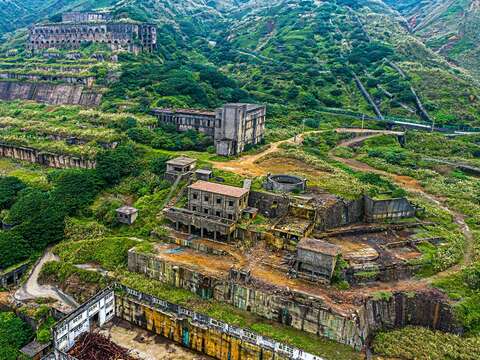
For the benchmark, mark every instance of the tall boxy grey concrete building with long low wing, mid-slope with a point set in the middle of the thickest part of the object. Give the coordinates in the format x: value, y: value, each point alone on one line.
x: 233, y: 127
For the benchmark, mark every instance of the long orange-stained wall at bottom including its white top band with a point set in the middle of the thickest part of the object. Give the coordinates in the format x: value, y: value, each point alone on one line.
x: 200, y: 332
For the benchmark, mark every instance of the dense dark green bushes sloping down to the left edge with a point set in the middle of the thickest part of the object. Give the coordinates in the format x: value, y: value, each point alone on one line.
x: 38, y: 216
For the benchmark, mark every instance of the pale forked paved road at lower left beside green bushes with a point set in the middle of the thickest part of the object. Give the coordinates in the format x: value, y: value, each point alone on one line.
x: 31, y: 289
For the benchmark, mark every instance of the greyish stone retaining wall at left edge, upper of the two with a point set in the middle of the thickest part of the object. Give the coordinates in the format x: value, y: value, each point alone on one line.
x: 49, y: 93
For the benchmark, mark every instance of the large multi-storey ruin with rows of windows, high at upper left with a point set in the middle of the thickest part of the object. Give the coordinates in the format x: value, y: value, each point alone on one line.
x: 83, y: 28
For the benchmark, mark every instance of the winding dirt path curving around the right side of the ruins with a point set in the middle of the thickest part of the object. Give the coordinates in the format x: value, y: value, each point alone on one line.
x: 412, y: 185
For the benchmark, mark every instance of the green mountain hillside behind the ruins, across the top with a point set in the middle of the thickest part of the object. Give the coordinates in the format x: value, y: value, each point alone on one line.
x: 305, y: 57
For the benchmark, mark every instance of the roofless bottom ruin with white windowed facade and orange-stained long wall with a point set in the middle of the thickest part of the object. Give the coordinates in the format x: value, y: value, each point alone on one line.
x: 189, y: 328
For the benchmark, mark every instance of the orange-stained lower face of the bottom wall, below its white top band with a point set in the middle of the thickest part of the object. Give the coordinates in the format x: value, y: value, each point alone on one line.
x: 207, y: 341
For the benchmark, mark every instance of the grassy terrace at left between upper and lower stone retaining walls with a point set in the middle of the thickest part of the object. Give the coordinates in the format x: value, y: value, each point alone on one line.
x: 46, y: 127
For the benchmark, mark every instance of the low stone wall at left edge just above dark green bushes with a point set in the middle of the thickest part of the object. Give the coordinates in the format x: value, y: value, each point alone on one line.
x: 46, y: 159
